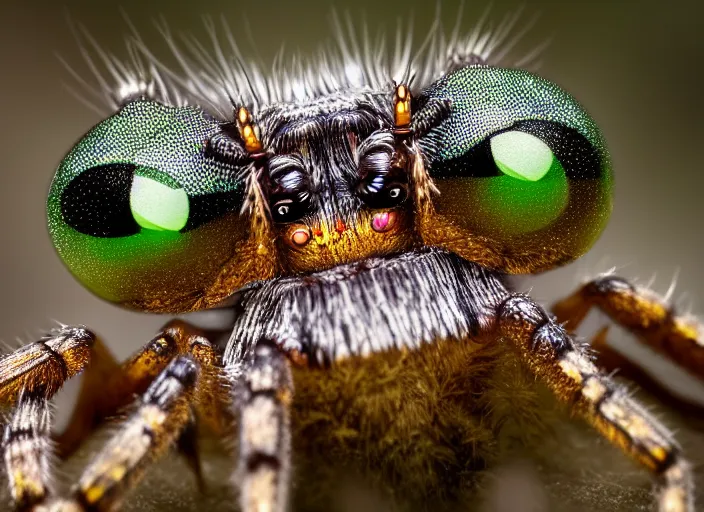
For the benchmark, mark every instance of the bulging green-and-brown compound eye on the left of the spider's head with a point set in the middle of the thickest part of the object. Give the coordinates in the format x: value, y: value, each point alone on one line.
x: 139, y: 211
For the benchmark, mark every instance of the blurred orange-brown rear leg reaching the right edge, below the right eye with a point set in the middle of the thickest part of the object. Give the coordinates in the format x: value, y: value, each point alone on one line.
x: 643, y: 313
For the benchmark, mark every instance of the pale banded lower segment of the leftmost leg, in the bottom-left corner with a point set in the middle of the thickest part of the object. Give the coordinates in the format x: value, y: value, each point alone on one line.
x: 26, y: 448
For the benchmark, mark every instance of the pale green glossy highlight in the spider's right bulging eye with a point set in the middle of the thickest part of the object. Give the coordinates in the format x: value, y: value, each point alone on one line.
x: 521, y: 155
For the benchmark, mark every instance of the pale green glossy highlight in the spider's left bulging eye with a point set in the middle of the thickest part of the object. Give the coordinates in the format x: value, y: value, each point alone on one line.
x: 158, y: 207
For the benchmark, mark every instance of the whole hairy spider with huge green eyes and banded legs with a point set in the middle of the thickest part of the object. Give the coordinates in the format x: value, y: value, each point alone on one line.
x: 363, y: 230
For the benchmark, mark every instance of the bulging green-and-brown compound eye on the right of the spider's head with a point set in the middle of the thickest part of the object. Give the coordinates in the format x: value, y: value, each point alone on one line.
x: 520, y: 163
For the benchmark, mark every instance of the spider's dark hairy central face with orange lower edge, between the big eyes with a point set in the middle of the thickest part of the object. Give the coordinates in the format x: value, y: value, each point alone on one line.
x: 334, y: 193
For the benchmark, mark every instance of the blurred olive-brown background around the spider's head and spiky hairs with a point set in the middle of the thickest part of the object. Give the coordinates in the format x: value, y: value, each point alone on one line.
x: 634, y: 65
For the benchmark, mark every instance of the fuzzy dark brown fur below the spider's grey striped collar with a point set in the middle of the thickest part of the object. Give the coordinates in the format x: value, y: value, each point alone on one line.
x: 416, y: 426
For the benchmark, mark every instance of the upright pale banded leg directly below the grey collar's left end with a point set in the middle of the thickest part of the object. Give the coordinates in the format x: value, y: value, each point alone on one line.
x: 265, y: 444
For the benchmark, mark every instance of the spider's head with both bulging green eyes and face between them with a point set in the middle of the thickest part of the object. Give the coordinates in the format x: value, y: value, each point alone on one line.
x: 165, y: 208
